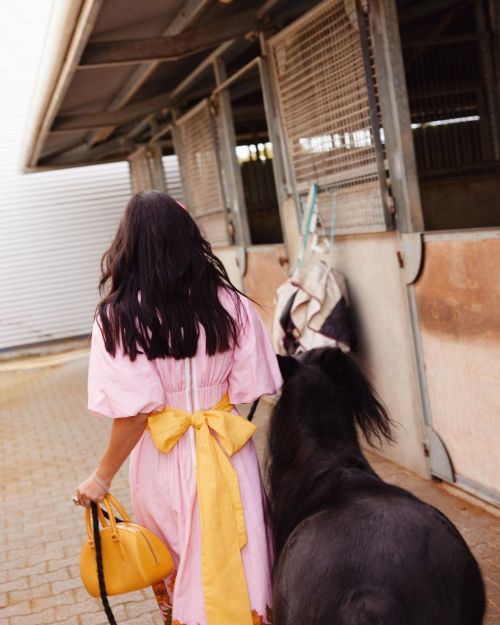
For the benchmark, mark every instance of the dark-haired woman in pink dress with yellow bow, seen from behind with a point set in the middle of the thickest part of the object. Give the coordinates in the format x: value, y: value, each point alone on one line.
x: 174, y: 333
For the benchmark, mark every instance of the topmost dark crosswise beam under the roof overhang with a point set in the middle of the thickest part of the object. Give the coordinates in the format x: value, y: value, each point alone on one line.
x: 110, y: 53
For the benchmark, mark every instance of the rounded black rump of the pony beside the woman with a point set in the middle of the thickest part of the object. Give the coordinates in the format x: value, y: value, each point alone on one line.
x: 376, y: 556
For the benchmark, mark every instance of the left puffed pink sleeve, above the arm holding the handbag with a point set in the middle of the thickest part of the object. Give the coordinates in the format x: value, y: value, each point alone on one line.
x: 118, y: 387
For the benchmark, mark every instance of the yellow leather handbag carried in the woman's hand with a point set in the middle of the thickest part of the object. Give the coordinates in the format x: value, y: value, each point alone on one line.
x: 130, y: 556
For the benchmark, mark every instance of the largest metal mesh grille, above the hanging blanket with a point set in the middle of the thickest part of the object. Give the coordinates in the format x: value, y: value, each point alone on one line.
x: 323, y: 97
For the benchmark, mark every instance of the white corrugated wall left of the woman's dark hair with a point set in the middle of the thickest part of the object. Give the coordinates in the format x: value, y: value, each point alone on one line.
x: 55, y: 228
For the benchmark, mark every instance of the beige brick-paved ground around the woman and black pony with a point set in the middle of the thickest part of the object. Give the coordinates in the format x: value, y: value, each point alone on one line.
x: 49, y: 443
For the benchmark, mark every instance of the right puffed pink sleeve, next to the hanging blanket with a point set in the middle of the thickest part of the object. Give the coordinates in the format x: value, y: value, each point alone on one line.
x: 255, y: 371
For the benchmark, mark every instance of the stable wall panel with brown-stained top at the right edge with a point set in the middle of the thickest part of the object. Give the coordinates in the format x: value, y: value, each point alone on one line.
x: 458, y: 298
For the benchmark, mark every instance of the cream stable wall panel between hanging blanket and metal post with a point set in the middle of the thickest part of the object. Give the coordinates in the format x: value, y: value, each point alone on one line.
x: 378, y: 296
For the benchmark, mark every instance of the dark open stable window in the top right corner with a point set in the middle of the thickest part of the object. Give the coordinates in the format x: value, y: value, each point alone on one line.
x: 450, y: 55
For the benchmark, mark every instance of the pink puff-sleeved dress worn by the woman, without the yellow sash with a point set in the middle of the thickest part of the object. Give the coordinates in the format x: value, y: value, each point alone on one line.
x: 163, y: 485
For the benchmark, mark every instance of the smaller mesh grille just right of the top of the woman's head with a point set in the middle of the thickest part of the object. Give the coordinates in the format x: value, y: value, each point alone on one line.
x: 202, y: 173
